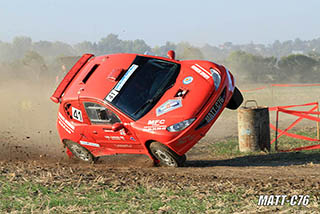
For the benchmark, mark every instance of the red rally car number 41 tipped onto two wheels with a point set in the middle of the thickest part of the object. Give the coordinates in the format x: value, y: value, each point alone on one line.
x: 141, y: 104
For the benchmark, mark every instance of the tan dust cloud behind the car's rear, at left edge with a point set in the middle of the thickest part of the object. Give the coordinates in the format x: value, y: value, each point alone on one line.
x: 28, y: 120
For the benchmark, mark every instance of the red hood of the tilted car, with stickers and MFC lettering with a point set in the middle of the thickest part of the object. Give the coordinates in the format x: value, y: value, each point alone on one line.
x: 184, y: 100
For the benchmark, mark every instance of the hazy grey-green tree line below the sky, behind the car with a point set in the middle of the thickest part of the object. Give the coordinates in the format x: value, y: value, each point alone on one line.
x: 290, y: 61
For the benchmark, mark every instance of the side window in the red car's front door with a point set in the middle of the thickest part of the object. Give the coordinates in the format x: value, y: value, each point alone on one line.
x: 99, y: 114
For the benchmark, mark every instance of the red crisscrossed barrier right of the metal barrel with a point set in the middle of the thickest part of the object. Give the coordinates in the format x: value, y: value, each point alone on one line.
x: 302, y: 115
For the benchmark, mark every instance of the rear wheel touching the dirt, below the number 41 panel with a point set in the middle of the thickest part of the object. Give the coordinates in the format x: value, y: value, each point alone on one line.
x: 80, y: 152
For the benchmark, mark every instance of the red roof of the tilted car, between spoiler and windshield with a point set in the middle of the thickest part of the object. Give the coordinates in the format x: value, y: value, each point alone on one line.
x: 92, y: 81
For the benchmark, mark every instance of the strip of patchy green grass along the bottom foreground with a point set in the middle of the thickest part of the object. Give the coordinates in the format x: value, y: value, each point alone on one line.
x: 27, y: 197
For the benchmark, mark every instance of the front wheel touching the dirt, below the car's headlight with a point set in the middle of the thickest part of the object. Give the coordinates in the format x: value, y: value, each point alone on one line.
x: 166, y: 156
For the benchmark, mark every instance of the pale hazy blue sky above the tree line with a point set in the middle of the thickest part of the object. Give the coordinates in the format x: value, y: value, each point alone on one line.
x: 197, y: 22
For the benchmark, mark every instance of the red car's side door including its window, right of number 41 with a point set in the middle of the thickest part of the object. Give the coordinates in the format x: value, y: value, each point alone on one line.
x: 110, y: 130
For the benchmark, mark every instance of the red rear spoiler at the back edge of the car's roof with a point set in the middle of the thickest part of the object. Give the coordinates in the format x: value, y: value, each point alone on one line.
x: 69, y: 77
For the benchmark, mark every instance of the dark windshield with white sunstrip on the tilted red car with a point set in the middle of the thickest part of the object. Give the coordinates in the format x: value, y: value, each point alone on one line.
x: 140, y: 88
